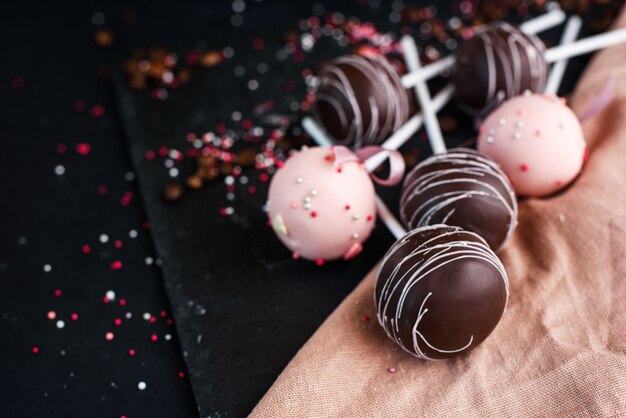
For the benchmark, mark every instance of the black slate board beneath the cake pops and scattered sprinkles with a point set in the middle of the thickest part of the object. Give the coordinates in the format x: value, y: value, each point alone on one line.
x: 242, y: 306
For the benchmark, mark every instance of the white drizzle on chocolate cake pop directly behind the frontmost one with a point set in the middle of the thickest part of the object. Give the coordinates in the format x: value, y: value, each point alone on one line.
x: 470, y: 168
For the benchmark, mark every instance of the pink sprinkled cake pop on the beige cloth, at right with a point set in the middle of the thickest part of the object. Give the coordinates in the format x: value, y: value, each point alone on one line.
x: 538, y: 142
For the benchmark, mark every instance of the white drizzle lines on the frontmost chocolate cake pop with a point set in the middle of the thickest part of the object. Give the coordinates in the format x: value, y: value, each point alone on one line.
x: 425, y: 259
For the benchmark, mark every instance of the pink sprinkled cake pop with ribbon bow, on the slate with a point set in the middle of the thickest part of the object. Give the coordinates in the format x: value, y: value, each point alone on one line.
x: 321, y: 210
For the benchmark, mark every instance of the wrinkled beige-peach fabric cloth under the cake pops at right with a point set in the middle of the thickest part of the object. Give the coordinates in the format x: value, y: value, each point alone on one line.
x: 560, y: 349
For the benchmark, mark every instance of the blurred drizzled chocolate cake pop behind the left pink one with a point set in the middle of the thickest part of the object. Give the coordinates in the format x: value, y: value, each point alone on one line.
x: 360, y: 100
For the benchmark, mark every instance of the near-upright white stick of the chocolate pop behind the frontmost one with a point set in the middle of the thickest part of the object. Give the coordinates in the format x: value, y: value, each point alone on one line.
x: 411, y: 58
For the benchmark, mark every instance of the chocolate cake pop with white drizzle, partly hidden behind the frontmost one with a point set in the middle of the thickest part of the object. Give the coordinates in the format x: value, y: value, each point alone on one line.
x: 461, y: 188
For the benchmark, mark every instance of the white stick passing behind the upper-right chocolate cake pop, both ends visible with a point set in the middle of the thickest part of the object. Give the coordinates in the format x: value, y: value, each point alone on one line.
x: 533, y: 26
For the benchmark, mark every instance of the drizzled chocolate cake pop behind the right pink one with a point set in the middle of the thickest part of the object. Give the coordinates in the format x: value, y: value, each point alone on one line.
x: 498, y: 63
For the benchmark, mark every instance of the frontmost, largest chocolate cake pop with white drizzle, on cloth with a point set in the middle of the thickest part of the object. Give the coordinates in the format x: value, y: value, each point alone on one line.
x: 440, y: 292
